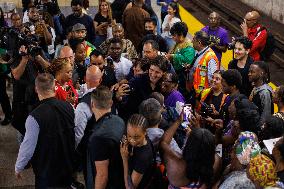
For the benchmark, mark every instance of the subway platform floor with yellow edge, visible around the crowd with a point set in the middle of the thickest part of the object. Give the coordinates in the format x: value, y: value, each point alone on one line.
x: 8, y: 135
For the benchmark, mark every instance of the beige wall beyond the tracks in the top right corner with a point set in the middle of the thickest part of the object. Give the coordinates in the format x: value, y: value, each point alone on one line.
x: 273, y: 8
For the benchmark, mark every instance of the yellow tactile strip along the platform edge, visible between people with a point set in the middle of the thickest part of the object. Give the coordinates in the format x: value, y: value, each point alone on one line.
x: 195, y: 25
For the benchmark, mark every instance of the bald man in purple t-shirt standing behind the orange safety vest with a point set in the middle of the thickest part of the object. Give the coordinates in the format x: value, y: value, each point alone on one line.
x: 218, y: 36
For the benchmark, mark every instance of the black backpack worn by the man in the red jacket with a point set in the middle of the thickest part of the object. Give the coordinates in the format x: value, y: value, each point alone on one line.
x: 269, y: 47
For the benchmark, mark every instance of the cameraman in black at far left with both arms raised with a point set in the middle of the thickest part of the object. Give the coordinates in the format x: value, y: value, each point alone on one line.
x: 24, y: 70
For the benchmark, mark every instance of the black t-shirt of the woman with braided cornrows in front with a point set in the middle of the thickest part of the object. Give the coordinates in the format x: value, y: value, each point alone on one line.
x: 142, y: 162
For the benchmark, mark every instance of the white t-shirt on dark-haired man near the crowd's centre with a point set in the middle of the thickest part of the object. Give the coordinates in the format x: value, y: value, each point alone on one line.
x: 122, y: 68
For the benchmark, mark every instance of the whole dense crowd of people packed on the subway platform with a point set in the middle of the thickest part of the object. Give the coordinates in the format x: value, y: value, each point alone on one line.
x: 131, y: 102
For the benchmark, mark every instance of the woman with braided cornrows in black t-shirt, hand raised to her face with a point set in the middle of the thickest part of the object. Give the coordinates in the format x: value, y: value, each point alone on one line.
x: 137, y: 153
